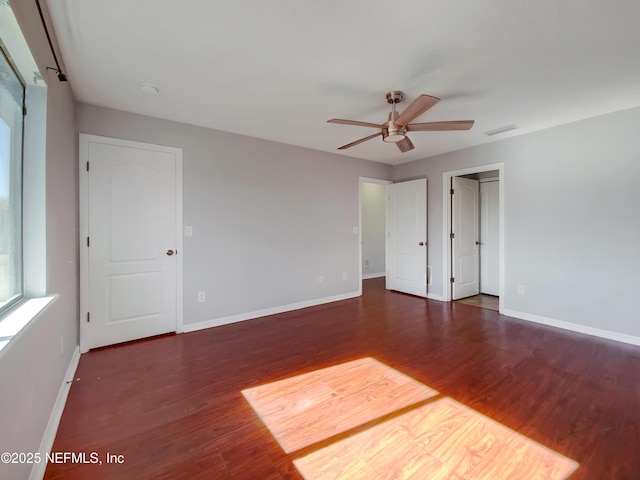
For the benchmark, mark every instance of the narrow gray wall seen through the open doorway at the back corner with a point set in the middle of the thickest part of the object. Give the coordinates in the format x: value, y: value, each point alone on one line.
x: 372, y: 196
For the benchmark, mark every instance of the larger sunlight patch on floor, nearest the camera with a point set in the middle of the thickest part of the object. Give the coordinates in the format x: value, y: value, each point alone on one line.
x: 440, y: 440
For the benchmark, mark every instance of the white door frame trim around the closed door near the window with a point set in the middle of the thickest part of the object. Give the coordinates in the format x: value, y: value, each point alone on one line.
x: 83, y: 183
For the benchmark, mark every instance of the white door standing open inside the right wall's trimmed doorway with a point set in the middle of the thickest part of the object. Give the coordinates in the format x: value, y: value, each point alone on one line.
x: 465, y: 257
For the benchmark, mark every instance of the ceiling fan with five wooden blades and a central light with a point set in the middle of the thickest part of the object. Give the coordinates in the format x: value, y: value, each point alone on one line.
x: 395, y: 129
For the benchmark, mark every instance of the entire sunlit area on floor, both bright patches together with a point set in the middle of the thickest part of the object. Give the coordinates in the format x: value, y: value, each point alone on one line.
x: 365, y: 420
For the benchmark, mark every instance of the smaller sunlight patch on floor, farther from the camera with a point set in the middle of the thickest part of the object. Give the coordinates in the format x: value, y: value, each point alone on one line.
x: 308, y: 408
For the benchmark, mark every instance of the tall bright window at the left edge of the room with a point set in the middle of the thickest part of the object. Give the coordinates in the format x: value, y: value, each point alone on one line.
x: 12, y: 95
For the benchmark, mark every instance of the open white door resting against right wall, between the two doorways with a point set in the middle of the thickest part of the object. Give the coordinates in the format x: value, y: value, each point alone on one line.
x: 407, y: 237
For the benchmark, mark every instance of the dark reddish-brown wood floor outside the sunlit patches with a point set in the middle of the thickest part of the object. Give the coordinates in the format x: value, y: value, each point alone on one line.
x: 173, y: 407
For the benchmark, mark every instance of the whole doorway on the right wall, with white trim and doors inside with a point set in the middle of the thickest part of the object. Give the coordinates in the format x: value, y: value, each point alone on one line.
x: 473, y: 230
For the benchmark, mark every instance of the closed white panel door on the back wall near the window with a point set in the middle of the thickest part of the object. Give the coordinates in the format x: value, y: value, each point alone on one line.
x: 132, y: 245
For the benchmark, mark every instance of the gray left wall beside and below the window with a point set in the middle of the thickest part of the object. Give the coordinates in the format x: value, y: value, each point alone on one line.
x: 32, y: 367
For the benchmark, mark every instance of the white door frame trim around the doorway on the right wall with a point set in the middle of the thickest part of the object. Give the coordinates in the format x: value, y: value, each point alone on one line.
x: 446, y: 226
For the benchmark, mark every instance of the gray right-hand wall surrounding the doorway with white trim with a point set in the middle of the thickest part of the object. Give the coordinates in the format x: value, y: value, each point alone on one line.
x: 572, y: 227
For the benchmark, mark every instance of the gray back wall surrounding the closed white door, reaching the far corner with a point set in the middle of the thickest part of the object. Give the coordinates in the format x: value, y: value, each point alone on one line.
x: 268, y: 219
